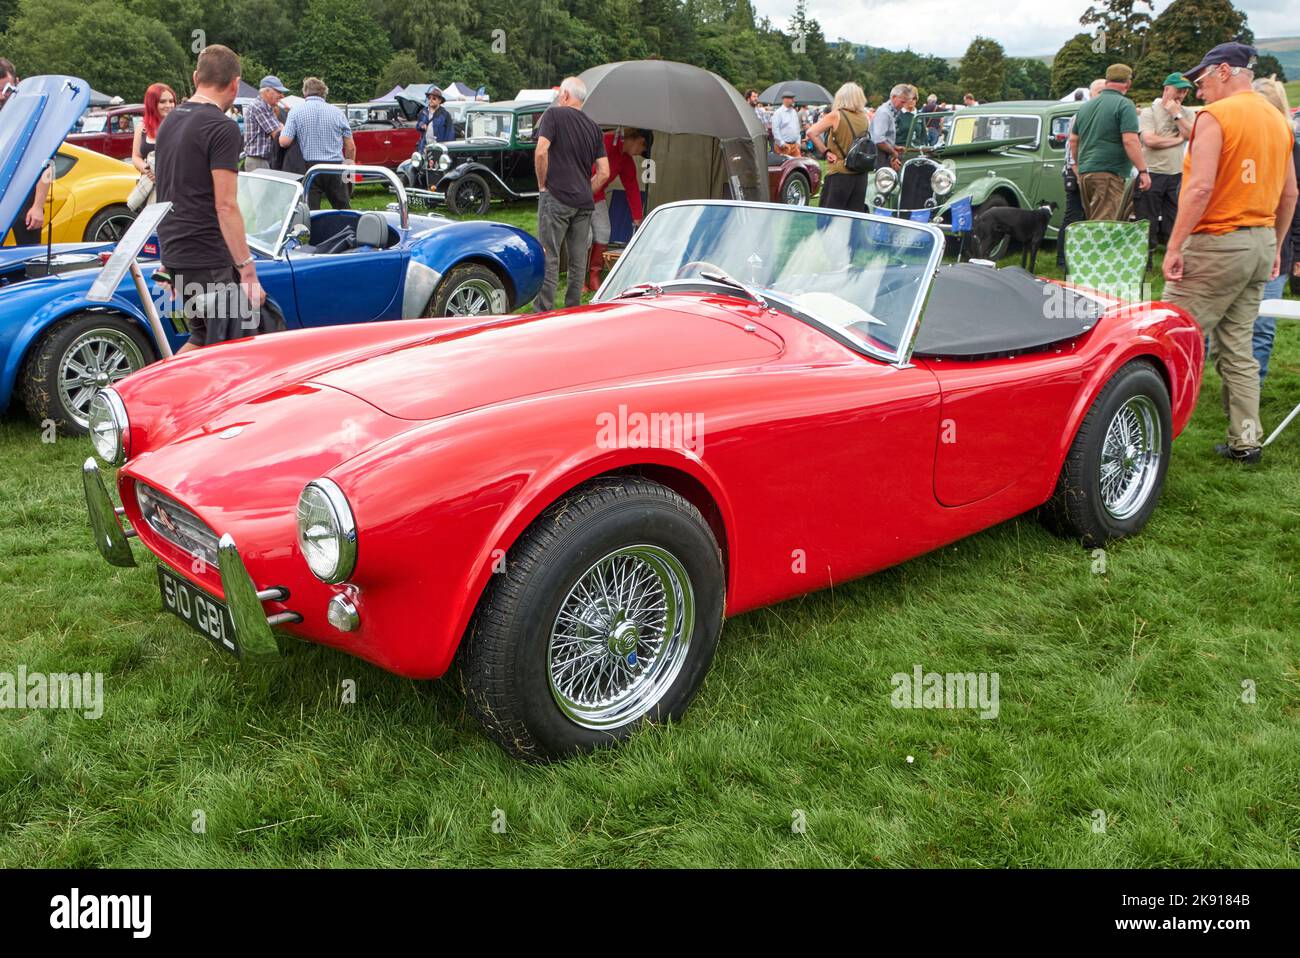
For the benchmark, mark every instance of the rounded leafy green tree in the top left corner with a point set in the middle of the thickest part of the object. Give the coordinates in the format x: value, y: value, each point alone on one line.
x: 116, y: 51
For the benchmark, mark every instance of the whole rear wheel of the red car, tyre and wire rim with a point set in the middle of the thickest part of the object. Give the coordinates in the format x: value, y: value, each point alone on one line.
x: 1113, y: 476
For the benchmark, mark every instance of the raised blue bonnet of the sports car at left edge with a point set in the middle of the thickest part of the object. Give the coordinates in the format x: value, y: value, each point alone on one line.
x: 33, y: 124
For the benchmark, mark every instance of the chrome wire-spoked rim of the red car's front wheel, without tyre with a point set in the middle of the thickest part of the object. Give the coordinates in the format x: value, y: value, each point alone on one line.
x: 621, y: 638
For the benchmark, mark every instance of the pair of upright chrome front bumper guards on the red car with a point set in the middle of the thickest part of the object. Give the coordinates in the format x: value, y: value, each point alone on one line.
x: 242, y: 599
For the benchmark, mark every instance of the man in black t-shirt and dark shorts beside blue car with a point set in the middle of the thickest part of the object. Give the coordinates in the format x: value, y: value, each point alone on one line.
x: 205, y: 248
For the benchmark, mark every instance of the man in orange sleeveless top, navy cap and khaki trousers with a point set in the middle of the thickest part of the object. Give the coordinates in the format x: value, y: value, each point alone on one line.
x: 1240, y: 192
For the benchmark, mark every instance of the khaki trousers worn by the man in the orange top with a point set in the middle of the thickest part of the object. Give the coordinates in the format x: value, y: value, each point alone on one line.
x: 1223, y: 285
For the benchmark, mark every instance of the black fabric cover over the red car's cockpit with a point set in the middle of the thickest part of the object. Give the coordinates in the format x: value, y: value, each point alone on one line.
x: 978, y: 311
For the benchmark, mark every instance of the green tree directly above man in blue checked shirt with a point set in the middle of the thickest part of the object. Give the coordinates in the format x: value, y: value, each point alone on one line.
x: 343, y: 44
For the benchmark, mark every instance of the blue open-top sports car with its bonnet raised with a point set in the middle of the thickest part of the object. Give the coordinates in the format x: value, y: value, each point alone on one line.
x: 319, y: 268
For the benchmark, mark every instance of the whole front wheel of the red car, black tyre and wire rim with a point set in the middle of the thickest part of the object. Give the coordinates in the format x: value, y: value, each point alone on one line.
x: 606, y: 617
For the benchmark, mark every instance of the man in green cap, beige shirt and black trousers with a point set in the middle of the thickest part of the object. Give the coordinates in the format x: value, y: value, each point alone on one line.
x: 1164, y: 128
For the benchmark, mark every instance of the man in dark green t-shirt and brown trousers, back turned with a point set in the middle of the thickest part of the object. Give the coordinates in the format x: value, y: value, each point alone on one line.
x: 1104, y: 142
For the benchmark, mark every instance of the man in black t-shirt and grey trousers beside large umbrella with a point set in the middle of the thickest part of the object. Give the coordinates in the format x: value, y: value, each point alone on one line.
x: 569, y: 145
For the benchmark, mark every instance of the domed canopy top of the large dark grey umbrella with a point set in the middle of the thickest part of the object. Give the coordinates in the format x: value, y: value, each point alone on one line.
x: 668, y: 97
